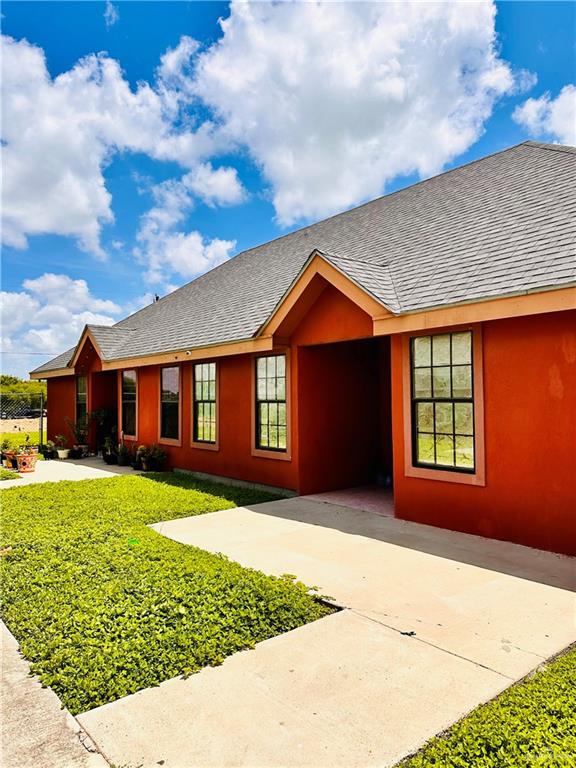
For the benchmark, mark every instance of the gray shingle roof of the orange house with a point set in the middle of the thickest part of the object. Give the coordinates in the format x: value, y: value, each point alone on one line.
x: 501, y: 225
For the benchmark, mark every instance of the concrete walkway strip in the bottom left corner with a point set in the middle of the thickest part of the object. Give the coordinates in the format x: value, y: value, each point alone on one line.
x: 36, y: 732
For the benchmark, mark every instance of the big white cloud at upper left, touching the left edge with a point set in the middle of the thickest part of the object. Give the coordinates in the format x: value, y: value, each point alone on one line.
x: 59, y: 134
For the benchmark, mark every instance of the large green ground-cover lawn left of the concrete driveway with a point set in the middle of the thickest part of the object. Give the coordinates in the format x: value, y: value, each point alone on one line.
x: 103, y: 606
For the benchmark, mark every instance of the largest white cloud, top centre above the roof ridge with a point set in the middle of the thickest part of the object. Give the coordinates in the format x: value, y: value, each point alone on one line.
x: 333, y: 100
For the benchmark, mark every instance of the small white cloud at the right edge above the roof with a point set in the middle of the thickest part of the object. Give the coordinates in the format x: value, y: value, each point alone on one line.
x: 548, y: 117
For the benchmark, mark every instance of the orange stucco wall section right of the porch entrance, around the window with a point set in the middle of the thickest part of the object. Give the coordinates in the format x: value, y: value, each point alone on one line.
x: 530, y: 434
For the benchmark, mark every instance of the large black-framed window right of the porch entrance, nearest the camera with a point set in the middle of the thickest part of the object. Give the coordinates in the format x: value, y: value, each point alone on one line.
x: 441, y: 367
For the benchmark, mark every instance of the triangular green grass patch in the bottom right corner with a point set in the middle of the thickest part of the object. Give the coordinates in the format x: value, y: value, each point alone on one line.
x: 530, y: 725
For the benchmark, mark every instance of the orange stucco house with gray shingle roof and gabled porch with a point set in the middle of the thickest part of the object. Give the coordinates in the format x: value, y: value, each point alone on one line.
x: 425, y: 341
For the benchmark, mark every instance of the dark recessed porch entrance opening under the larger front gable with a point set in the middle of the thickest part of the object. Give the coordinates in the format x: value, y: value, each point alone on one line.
x: 345, y: 421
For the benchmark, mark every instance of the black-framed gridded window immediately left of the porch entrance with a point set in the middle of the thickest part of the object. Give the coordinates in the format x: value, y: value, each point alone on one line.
x: 271, y: 426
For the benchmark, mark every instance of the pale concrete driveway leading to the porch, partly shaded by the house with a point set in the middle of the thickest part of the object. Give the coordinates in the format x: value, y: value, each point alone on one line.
x: 434, y: 623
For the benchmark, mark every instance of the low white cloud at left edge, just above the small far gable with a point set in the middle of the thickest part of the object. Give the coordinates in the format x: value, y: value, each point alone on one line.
x: 48, y: 316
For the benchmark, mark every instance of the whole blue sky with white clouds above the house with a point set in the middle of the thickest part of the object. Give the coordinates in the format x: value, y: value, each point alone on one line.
x: 186, y: 141
